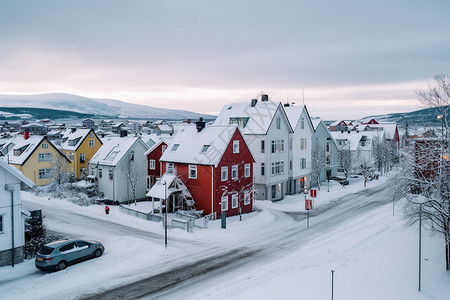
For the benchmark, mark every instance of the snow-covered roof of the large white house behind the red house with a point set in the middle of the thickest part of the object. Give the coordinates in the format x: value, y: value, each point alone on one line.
x: 259, y: 116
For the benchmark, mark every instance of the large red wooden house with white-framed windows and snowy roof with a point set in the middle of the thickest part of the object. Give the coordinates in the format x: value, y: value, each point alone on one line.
x: 216, y: 166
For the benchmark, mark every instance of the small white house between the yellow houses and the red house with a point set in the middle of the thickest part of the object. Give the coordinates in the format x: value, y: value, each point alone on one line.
x: 119, y: 169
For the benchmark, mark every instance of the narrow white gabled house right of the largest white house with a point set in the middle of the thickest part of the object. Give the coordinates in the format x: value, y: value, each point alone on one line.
x: 300, y: 145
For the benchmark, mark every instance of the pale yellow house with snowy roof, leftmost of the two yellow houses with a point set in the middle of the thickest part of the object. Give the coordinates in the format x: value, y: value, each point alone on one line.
x: 37, y: 158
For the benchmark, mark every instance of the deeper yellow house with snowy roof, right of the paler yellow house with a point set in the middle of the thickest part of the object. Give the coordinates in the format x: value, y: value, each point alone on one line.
x: 80, y: 145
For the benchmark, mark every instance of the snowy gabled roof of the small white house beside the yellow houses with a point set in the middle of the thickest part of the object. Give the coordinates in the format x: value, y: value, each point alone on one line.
x: 114, y: 149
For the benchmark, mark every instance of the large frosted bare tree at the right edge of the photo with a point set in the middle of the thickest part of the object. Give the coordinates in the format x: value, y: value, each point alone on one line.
x: 424, y: 178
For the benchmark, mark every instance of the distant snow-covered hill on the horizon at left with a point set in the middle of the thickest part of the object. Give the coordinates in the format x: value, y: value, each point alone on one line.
x: 97, y: 107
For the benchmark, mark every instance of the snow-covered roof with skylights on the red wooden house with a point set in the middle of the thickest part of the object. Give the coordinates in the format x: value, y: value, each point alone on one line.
x: 204, y: 148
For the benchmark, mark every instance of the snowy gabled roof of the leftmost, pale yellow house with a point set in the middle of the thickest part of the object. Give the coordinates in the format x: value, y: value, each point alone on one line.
x: 27, y: 148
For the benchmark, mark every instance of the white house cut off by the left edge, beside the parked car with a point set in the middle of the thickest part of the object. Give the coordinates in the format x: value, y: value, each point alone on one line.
x: 12, y: 215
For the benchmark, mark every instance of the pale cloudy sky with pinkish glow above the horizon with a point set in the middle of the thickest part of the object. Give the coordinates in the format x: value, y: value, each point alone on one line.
x: 344, y: 59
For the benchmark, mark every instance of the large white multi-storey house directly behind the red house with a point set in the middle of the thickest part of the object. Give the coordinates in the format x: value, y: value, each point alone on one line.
x: 266, y: 130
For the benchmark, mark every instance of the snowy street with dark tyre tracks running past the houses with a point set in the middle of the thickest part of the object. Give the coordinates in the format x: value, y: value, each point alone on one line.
x: 135, y: 264
